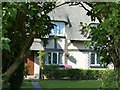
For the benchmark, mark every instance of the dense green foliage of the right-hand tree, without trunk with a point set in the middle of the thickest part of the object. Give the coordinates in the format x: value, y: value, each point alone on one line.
x: 106, y: 38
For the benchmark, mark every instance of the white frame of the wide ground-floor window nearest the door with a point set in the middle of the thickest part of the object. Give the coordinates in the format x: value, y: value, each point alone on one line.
x: 47, y: 63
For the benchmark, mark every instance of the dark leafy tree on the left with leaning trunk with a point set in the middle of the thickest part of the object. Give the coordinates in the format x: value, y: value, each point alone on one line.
x: 22, y: 22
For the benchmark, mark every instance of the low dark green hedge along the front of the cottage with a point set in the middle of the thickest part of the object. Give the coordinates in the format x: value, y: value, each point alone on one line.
x: 55, y: 72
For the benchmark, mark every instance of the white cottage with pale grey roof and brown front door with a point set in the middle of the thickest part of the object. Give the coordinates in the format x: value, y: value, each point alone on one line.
x: 66, y: 45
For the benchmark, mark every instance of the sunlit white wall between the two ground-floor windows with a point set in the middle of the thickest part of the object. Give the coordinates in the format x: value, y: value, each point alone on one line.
x: 78, y: 59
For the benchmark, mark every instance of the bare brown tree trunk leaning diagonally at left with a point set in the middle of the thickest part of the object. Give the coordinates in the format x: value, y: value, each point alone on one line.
x: 20, y: 57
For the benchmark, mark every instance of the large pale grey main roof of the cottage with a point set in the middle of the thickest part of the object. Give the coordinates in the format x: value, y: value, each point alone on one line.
x: 73, y: 15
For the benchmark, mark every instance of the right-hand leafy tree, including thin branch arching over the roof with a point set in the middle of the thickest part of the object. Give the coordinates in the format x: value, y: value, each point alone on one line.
x: 105, y: 38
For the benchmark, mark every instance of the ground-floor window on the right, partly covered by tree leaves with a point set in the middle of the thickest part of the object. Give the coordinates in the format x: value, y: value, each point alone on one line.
x: 94, y: 59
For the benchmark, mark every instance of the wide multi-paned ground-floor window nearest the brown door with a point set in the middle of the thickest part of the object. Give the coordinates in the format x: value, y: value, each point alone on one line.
x: 54, y: 58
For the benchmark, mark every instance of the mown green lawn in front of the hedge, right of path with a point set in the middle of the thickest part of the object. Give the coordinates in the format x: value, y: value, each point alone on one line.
x: 93, y: 84
